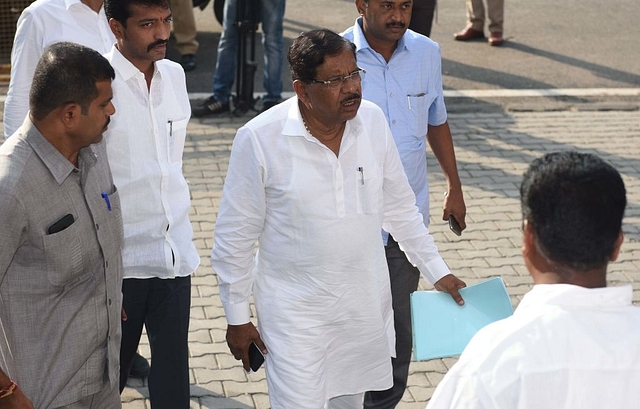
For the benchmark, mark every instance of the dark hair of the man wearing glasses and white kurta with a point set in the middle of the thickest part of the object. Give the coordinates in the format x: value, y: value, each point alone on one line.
x: 309, y: 50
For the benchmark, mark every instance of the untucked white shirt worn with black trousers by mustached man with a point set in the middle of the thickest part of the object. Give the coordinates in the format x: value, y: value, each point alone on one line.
x: 145, y: 141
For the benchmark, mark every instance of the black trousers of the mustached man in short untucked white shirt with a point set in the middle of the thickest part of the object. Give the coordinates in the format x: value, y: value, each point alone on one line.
x: 162, y: 306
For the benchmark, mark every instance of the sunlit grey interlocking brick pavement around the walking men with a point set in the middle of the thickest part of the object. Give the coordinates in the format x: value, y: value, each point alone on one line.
x: 493, y: 150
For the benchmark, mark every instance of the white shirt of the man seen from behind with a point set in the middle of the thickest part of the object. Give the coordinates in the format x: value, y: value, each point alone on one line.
x: 564, y: 347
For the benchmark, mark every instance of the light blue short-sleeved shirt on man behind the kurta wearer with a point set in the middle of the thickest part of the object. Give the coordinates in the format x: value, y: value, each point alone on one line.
x: 408, y: 89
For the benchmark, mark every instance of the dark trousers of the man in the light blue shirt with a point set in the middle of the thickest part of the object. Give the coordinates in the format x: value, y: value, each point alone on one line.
x: 404, y: 280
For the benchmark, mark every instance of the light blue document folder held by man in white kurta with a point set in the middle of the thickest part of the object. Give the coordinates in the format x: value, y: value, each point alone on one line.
x: 442, y: 328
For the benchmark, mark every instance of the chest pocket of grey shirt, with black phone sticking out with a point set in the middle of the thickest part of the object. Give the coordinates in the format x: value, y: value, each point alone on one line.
x: 64, y: 254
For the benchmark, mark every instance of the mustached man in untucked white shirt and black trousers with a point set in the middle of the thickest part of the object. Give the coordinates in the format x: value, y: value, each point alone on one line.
x: 145, y: 145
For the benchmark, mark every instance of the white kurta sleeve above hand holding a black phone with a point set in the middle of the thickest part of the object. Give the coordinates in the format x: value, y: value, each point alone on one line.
x: 239, y: 225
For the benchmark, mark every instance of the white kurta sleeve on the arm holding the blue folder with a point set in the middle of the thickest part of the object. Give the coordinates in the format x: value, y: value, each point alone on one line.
x: 403, y: 220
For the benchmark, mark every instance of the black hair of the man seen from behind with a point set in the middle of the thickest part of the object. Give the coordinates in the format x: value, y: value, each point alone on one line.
x: 575, y: 204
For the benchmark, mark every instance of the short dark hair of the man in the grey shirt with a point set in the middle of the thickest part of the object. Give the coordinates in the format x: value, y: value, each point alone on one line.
x: 67, y: 73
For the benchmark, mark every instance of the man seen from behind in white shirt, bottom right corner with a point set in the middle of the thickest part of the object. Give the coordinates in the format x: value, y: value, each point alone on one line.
x: 572, y: 342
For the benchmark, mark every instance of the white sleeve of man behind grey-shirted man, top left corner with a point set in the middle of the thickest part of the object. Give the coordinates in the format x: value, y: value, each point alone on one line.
x: 25, y: 54
